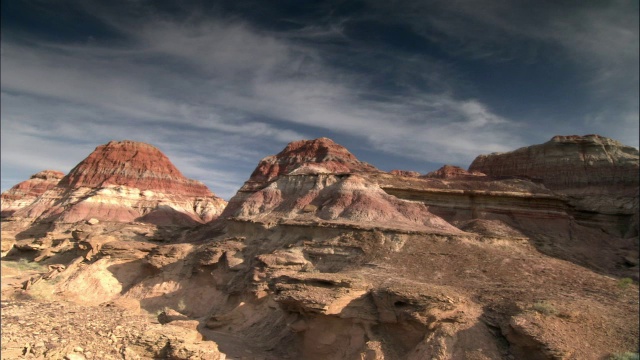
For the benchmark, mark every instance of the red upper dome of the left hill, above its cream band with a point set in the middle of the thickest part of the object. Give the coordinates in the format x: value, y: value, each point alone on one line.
x: 133, y: 164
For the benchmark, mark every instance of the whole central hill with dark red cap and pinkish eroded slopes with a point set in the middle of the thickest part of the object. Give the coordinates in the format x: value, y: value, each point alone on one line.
x: 318, y: 181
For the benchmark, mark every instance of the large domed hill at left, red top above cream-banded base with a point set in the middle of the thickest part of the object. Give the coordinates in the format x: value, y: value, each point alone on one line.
x: 125, y: 181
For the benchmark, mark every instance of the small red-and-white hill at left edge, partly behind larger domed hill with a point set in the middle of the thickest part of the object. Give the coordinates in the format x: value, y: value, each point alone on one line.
x: 26, y: 192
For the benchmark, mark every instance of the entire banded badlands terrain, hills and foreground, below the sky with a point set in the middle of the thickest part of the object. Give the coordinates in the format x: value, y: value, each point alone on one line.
x: 531, y: 254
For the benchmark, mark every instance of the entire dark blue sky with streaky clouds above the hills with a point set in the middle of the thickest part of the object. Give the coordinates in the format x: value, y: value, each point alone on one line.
x: 218, y: 85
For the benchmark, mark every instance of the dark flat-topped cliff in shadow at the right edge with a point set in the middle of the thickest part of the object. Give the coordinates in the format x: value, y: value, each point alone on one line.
x: 597, y: 174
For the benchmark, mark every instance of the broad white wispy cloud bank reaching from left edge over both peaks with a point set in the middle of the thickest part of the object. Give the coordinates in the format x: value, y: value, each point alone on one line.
x: 202, y: 89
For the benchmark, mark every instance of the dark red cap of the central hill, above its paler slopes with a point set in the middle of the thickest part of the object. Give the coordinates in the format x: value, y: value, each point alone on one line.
x: 321, y: 153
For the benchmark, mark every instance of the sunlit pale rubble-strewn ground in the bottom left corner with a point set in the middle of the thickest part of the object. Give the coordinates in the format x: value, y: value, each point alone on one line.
x: 36, y: 324
